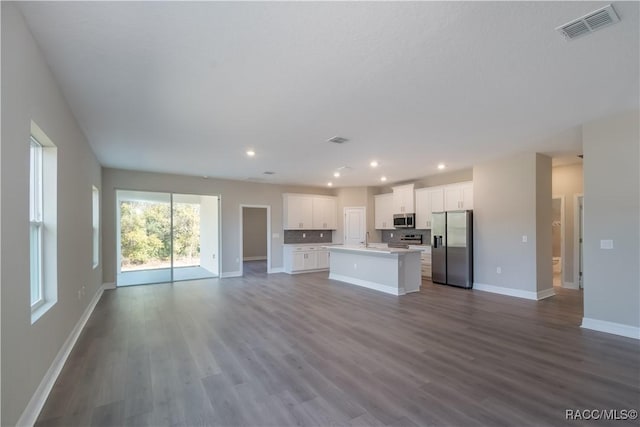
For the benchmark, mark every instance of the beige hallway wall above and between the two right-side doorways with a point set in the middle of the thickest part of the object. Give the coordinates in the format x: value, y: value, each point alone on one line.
x: 567, y: 181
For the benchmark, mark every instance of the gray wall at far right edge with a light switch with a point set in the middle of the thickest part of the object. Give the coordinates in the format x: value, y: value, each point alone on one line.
x: 611, y: 211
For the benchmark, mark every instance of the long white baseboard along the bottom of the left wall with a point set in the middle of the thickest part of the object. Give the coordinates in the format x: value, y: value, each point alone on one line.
x: 35, y: 405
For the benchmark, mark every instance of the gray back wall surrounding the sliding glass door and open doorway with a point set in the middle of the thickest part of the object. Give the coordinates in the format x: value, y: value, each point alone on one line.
x: 232, y: 195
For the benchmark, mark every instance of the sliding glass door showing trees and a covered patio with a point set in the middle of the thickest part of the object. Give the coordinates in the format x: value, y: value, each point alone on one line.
x: 164, y: 237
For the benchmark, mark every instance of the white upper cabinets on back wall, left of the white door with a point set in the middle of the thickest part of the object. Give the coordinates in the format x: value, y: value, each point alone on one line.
x: 309, y: 212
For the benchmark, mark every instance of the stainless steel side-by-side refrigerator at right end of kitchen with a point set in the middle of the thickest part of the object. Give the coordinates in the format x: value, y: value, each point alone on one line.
x: 452, y: 248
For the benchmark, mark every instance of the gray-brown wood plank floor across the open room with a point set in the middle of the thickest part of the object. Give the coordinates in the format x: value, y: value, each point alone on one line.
x: 284, y: 350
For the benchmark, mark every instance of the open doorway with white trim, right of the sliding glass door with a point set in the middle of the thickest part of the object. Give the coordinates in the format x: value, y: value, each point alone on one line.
x: 255, y: 244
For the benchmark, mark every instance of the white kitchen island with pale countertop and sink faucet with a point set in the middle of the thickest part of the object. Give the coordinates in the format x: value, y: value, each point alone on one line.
x: 394, y: 271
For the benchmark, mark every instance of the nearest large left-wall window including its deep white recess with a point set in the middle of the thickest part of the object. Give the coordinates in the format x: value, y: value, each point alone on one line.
x: 43, y: 223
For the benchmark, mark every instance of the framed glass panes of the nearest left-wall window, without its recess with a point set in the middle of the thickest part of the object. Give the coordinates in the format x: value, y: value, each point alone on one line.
x: 36, y: 224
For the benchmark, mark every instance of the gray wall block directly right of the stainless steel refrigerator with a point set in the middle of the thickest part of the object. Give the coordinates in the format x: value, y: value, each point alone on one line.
x: 506, y: 195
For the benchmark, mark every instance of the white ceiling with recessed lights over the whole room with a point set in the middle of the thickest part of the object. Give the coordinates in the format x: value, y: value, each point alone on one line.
x: 186, y: 88
